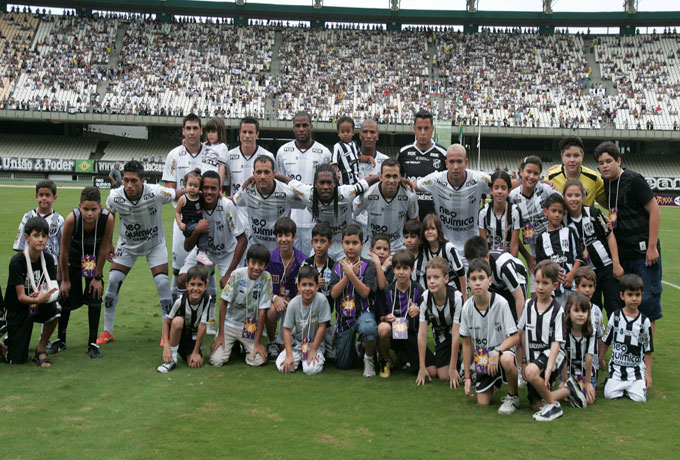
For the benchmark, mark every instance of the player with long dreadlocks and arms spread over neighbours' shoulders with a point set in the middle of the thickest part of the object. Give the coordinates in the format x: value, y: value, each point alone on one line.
x: 329, y: 202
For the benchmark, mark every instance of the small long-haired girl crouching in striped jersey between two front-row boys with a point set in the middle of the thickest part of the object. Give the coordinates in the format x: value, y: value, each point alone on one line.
x: 581, y: 345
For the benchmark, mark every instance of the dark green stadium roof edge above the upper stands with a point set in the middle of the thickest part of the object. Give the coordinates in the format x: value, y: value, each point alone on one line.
x: 373, y: 15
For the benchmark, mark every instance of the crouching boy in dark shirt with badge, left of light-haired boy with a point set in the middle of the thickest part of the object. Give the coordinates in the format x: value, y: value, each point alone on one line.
x: 397, y: 308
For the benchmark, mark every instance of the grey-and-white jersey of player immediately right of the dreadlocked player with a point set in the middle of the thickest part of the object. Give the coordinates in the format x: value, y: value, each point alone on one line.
x: 388, y: 215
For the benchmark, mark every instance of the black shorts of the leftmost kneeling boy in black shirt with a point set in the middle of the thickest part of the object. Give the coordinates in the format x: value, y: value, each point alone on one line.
x: 20, y: 329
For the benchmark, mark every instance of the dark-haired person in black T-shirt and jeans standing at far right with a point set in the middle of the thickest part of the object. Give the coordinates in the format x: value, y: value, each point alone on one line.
x: 635, y: 217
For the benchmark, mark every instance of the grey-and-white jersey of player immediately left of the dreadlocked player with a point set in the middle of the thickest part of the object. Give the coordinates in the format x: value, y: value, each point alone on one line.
x: 263, y: 210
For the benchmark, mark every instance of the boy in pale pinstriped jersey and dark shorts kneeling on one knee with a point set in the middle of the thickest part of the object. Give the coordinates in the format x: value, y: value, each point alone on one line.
x: 490, y: 334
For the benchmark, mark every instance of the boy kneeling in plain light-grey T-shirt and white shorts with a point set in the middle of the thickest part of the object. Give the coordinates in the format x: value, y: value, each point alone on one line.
x: 304, y: 326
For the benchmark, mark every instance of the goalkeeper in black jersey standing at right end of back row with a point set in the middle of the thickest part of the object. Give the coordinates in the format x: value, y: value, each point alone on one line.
x: 422, y: 158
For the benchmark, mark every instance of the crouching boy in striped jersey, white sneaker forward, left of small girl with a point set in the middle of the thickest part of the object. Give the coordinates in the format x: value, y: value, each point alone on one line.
x: 542, y: 333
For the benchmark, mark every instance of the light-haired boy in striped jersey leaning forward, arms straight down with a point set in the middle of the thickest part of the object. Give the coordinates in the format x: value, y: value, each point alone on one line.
x: 441, y: 307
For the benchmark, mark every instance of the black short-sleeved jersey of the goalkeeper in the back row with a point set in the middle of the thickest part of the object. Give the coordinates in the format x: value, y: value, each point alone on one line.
x: 416, y: 164
